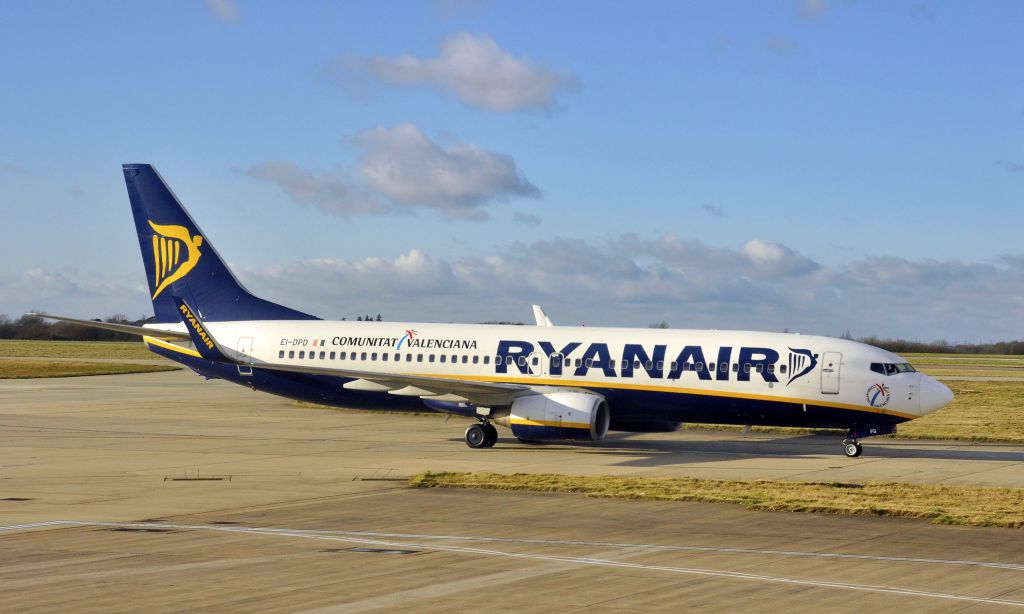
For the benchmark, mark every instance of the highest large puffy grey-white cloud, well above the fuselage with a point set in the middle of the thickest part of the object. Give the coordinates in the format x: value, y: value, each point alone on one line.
x: 475, y: 69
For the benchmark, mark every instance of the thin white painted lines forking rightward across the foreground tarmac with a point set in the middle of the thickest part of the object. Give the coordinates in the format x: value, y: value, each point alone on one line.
x: 354, y: 538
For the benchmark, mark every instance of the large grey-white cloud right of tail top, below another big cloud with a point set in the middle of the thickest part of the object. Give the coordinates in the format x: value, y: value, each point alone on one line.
x: 402, y: 169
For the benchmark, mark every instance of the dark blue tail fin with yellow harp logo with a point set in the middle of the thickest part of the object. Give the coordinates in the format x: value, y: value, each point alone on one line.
x: 182, y: 262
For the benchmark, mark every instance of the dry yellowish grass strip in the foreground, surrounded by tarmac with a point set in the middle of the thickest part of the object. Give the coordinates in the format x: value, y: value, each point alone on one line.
x: 974, y: 506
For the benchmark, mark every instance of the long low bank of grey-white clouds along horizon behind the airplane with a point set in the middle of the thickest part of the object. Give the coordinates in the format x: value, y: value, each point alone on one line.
x: 625, y: 281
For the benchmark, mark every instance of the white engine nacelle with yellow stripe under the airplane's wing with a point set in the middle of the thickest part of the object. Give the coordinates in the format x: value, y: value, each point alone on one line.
x: 559, y: 416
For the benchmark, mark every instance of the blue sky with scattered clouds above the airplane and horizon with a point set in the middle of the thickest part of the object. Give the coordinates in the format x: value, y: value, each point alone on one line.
x: 806, y: 165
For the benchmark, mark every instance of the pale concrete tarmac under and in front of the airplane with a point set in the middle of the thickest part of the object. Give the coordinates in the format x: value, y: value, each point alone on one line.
x: 164, y: 493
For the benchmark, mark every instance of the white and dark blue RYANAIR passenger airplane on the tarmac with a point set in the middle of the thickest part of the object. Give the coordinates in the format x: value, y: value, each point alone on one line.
x: 544, y: 383
